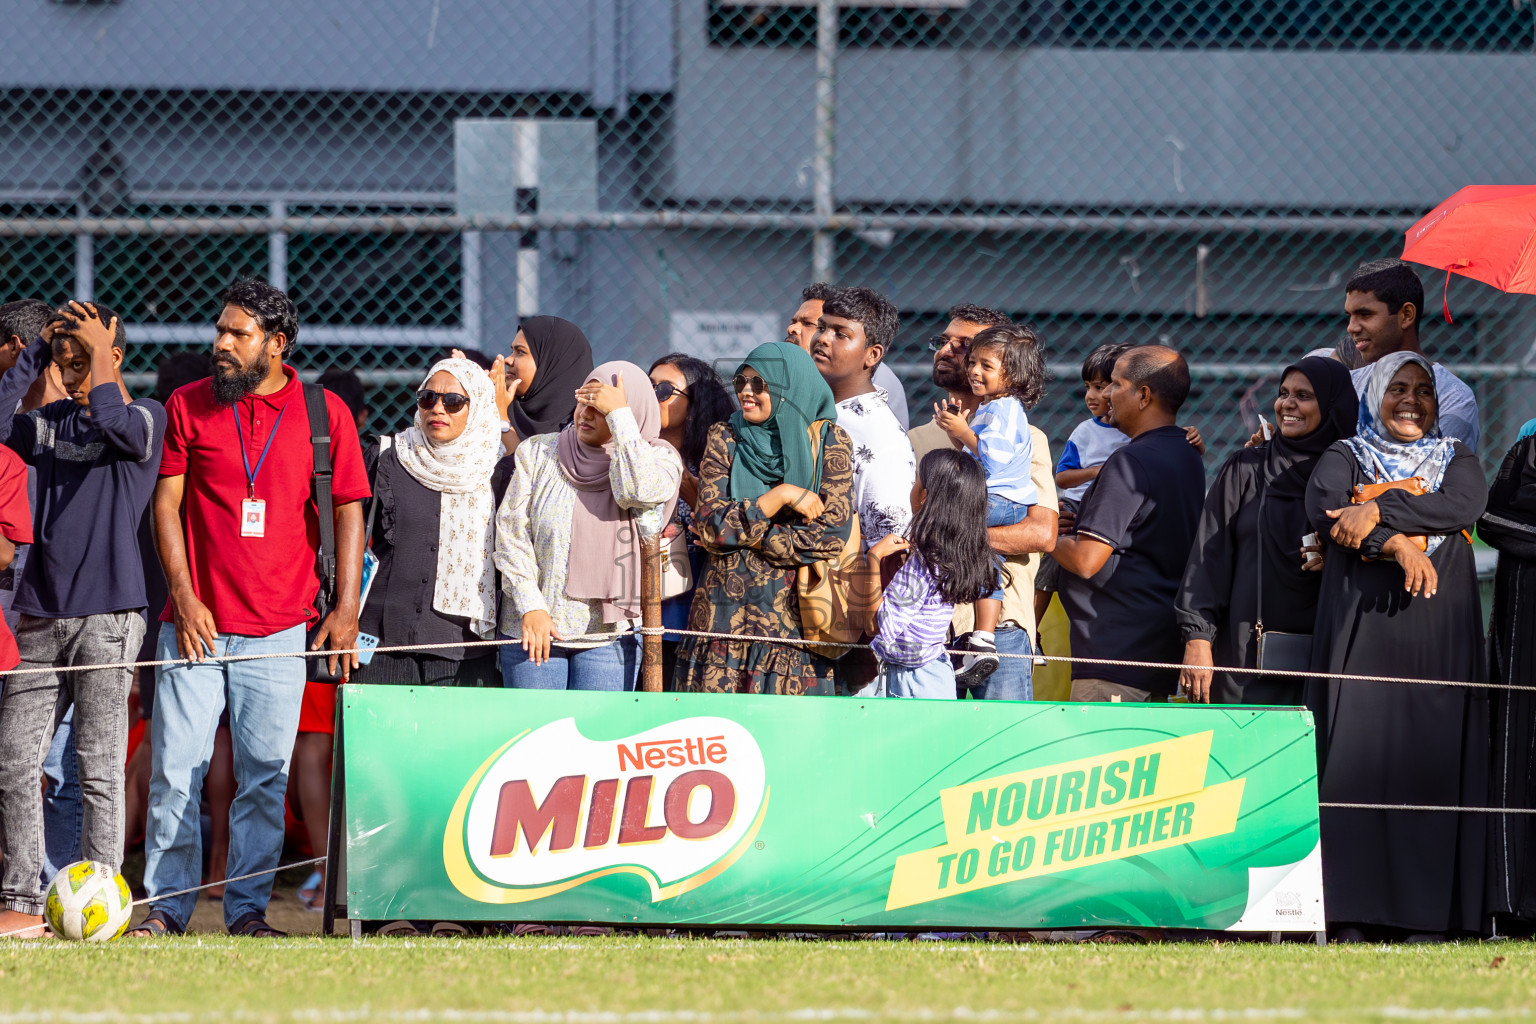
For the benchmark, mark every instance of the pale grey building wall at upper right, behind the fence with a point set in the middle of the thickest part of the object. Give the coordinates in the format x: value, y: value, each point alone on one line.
x: 1107, y: 128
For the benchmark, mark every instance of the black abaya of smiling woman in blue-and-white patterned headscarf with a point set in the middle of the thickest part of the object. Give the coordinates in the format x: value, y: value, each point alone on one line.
x: 1402, y: 744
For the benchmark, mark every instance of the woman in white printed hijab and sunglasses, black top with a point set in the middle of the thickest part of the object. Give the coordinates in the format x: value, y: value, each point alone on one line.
x: 434, y: 533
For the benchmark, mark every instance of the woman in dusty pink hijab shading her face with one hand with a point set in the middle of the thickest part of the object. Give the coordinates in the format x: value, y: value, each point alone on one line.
x: 569, y: 543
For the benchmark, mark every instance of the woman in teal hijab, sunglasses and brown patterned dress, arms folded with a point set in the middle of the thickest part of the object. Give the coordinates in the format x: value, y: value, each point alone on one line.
x: 767, y: 506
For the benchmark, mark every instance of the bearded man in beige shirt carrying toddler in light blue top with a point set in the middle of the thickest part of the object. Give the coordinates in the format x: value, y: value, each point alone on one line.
x: 1013, y: 678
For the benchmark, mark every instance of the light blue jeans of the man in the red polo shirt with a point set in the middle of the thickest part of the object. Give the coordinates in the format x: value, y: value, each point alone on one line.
x: 265, y: 701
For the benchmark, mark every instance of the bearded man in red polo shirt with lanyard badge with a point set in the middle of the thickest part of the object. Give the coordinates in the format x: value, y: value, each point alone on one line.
x: 237, y: 530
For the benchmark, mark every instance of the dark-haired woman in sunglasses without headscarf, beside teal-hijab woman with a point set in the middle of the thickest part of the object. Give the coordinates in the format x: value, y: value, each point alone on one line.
x: 694, y: 400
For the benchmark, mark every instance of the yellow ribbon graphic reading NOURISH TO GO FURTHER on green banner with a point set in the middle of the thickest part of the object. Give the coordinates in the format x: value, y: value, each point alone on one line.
x: 1067, y: 816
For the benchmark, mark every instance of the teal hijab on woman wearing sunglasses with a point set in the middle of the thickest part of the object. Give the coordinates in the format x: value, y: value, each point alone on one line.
x: 780, y: 449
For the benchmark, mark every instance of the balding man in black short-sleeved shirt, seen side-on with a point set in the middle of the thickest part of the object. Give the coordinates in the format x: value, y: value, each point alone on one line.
x: 1125, y: 555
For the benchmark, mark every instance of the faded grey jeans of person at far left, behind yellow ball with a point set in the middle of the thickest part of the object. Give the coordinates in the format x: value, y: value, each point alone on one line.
x: 31, y: 709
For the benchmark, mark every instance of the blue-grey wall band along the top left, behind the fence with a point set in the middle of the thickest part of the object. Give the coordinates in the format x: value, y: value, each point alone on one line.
x: 604, y: 48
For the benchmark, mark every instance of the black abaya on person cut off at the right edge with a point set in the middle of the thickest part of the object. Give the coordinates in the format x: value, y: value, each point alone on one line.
x: 1512, y: 661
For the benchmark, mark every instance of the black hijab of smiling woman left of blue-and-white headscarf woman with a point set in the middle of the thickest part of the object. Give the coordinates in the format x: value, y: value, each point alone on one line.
x: 1289, y: 463
